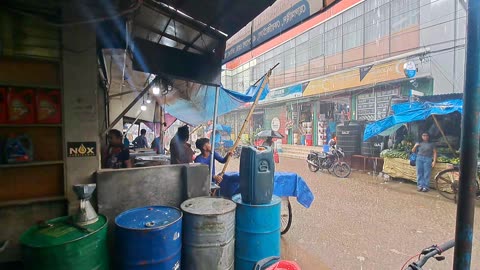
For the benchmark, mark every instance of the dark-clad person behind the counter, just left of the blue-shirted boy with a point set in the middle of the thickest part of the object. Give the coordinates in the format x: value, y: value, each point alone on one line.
x: 180, y: 151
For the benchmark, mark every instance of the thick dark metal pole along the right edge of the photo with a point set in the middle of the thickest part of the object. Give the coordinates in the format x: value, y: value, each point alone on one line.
x: 469, y: 142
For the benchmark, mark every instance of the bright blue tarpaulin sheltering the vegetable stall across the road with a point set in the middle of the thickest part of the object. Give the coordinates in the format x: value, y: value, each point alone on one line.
x: 410, y: 112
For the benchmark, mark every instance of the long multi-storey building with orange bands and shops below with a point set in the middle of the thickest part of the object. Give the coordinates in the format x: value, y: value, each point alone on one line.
x: 348, y: 62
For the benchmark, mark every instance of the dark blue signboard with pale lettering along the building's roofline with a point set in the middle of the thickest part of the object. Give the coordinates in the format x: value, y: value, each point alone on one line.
x: 281, y: 16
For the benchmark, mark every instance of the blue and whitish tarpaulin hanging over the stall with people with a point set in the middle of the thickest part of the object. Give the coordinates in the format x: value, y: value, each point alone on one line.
x: 197, y: 107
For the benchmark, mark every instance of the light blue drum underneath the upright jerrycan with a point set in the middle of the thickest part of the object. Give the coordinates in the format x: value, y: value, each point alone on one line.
x: 257, y: 232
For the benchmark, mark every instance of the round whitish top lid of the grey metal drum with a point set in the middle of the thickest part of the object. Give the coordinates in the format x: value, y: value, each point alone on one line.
x: 206, y: 206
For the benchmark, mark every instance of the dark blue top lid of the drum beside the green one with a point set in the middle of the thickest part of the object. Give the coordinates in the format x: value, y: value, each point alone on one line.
x: 146, y: 218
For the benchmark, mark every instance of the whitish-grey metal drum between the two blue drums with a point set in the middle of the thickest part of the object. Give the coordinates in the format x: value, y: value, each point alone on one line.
x: 208, y: 234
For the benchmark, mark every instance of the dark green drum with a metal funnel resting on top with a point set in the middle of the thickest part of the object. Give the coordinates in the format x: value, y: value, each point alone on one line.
x: 63, y: 246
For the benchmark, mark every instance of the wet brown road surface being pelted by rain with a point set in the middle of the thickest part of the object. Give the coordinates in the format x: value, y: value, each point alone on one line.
x: 365, y: 223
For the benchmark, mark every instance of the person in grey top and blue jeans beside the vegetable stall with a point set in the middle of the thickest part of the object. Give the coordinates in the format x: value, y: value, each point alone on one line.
x: 426, y: 158
